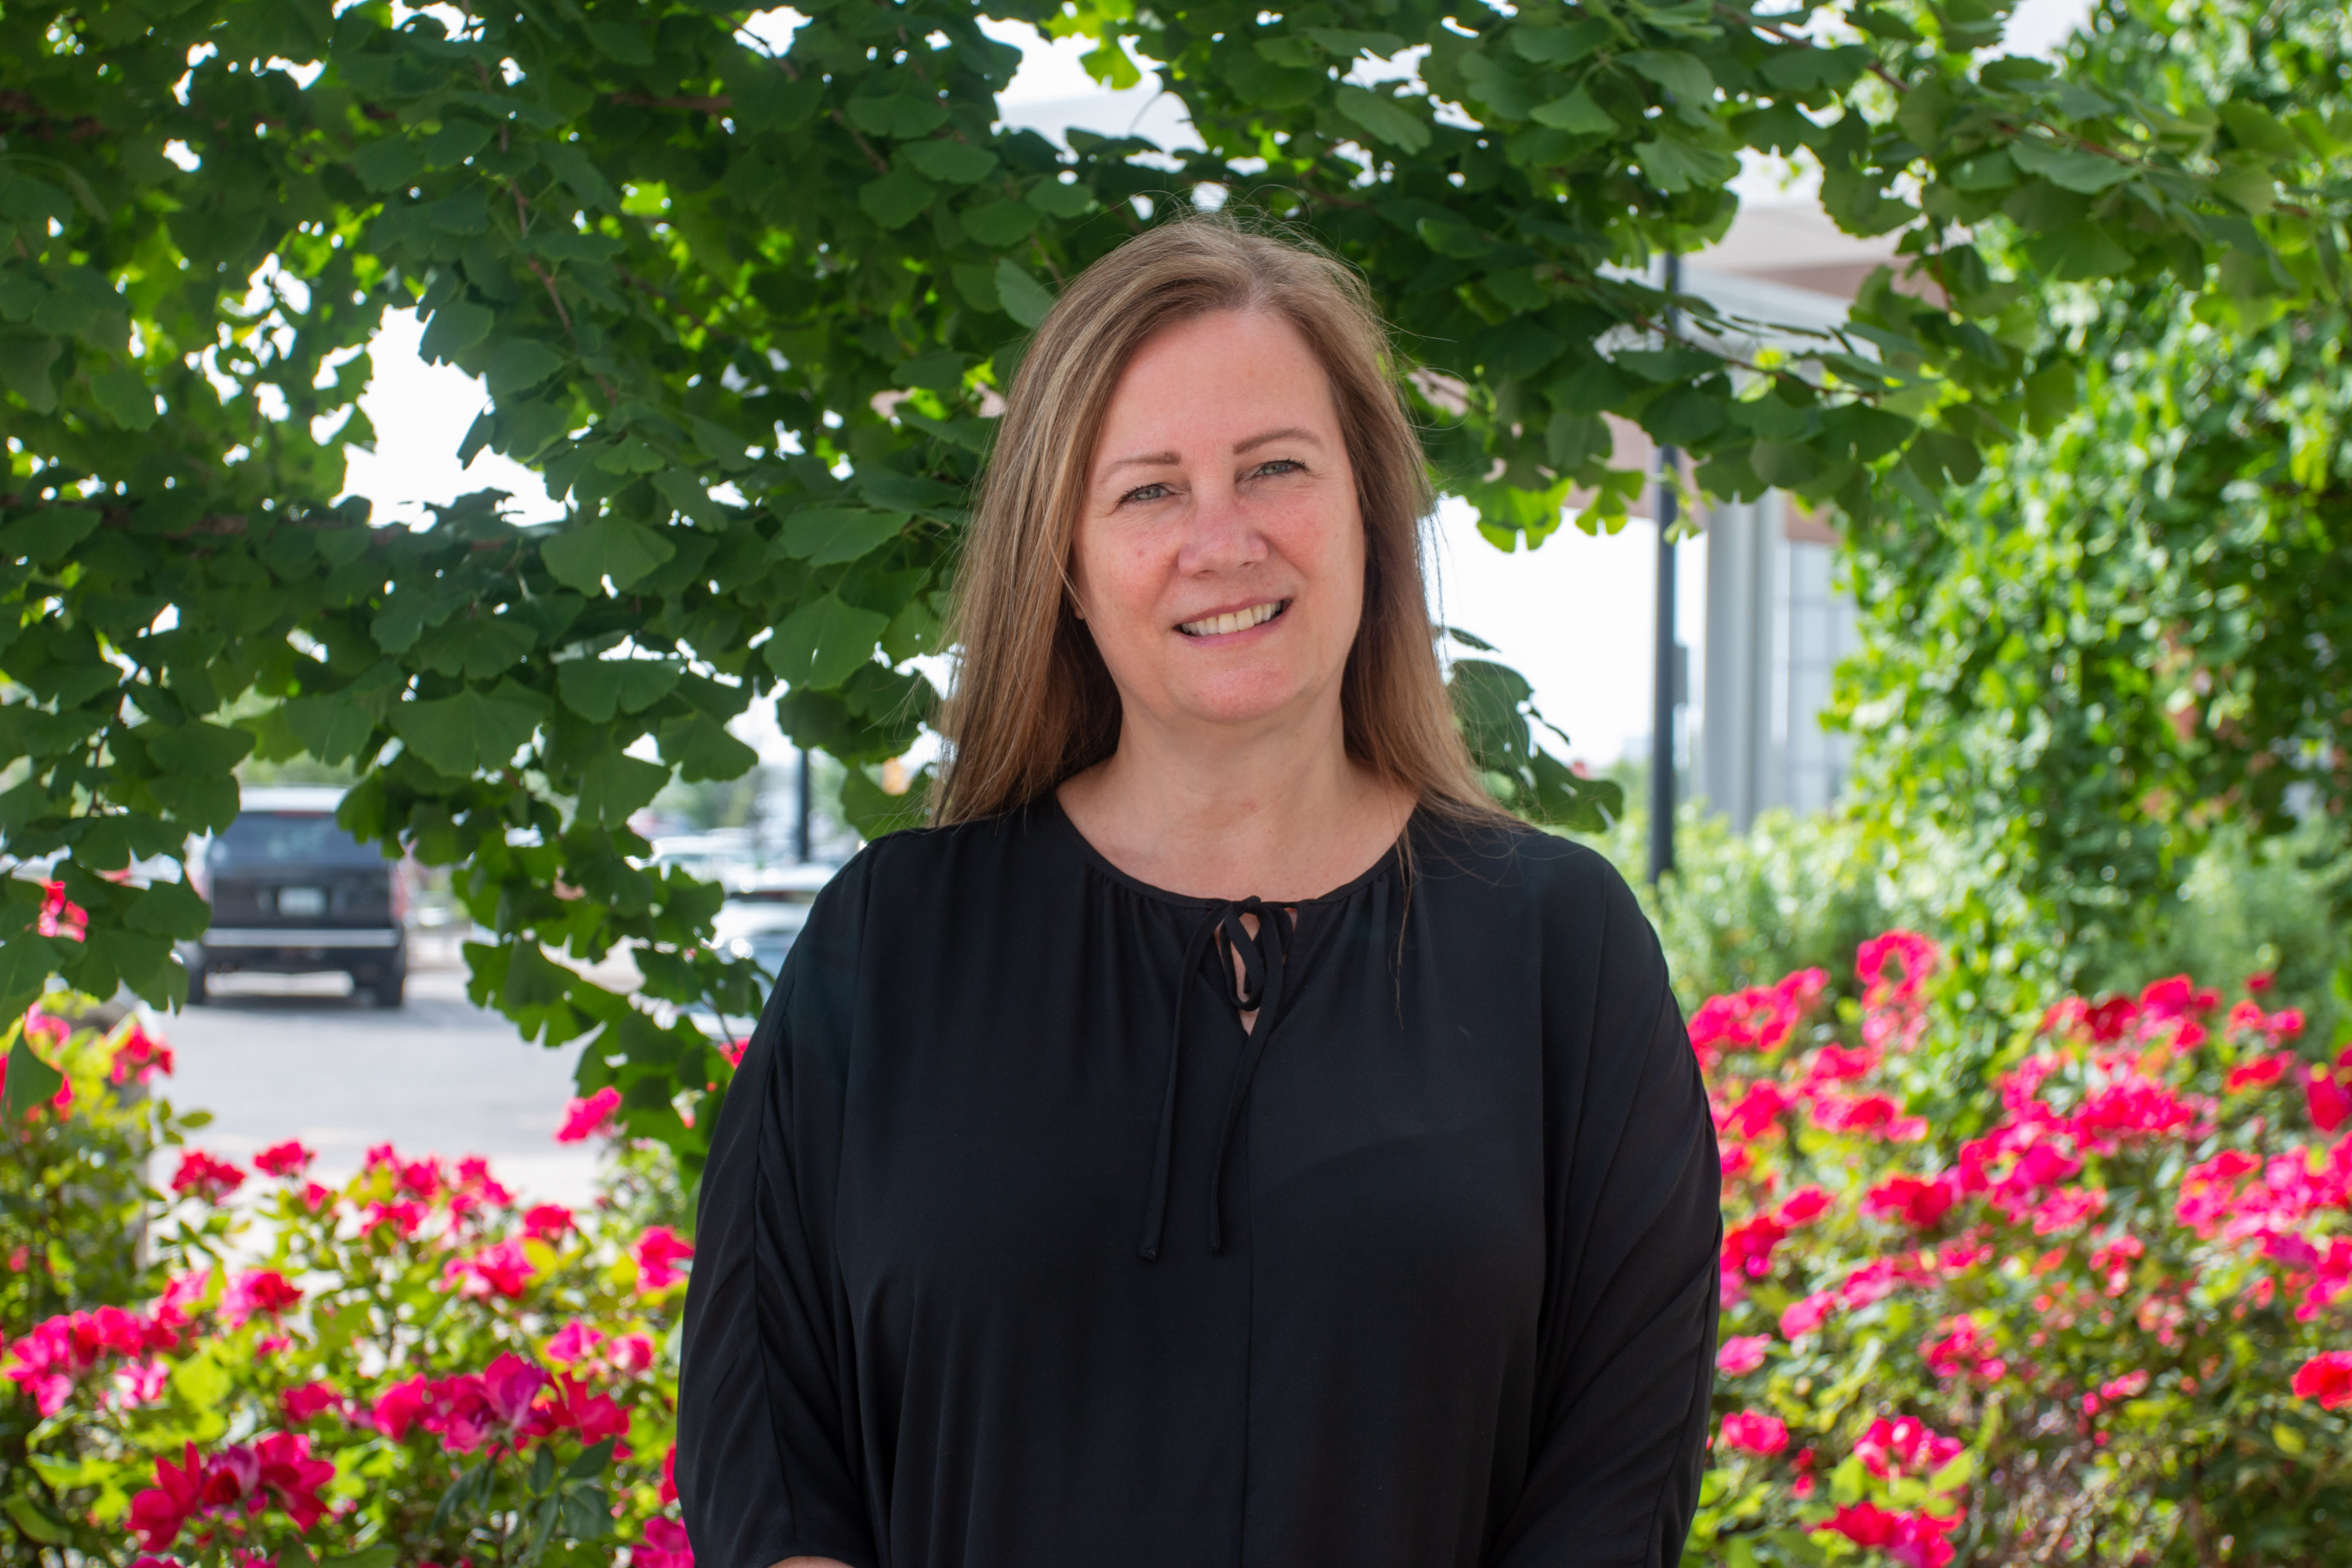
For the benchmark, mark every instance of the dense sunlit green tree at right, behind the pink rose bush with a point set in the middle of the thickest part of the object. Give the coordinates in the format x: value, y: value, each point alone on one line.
x: 2132, y: 629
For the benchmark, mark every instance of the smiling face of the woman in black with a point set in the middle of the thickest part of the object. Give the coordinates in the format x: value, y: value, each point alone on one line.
x: 1222, y: 549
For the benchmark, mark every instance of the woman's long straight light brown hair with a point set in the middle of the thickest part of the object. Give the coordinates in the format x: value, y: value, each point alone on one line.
x: 1034, y: 702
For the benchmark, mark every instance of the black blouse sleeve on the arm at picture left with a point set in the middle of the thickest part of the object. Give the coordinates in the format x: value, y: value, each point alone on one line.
x: 768, y: 1463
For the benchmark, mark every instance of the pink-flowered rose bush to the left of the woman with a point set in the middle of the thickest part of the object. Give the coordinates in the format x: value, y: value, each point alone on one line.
x: 413, y: 1367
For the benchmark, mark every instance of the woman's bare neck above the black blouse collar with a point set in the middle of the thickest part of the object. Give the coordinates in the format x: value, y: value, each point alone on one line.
x: 1276, y: 815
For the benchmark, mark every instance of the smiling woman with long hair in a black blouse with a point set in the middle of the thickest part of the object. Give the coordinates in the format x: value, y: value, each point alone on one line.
x: 1227, y: 1139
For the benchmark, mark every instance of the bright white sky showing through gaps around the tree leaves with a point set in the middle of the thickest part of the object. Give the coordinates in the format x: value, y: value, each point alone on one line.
x: 1575, y: 617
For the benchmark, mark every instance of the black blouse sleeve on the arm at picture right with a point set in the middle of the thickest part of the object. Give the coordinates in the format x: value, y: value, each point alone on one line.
x: 1626, y: 1346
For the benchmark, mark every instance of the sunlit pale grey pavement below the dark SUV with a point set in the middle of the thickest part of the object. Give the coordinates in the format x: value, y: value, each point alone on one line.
x: 295, y: 1059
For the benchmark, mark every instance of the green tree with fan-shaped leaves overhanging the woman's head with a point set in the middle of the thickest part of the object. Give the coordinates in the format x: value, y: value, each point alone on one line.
x: 747, y: 309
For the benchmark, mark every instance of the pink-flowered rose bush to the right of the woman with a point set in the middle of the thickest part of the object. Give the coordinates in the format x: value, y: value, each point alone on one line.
x: 2099, y: 1320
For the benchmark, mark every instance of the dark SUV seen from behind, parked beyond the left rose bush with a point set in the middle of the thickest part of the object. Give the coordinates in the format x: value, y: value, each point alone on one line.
x: 295, y: 894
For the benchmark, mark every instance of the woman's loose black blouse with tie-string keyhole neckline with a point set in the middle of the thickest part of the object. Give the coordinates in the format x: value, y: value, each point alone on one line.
x: 1020, y: 1254
